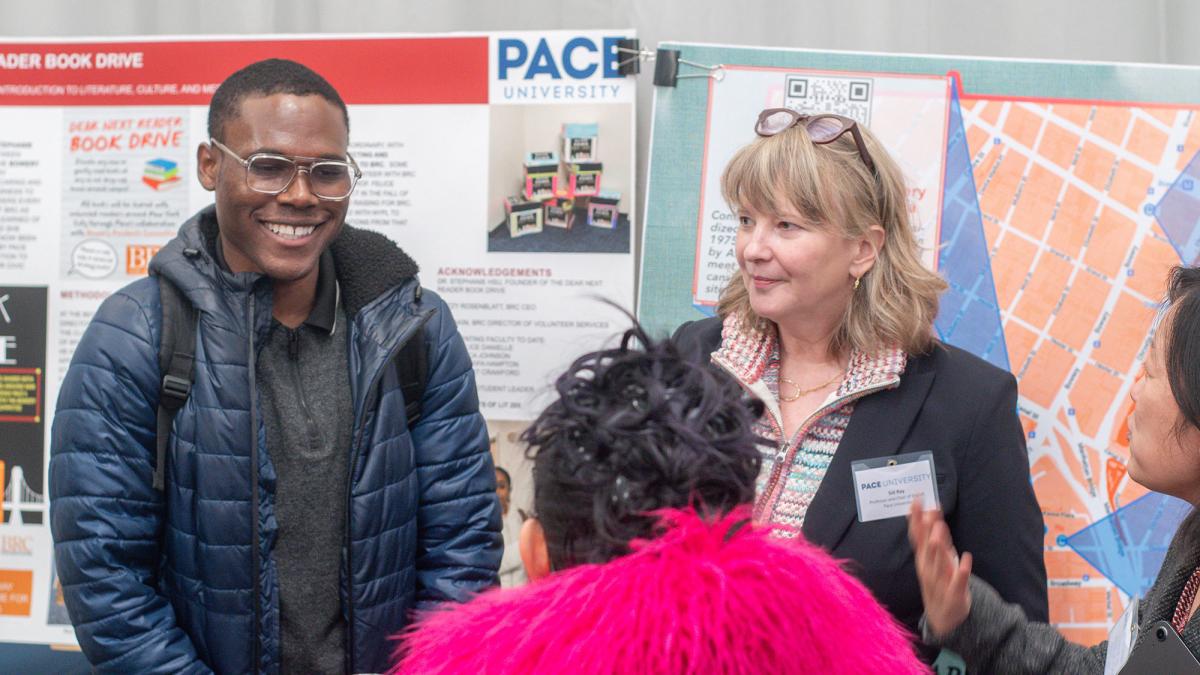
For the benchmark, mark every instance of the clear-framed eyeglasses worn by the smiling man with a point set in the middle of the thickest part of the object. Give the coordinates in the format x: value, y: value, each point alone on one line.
x: 271, y: 175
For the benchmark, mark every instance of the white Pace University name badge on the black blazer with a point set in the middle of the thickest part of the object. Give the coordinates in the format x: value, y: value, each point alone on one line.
x: 886, y: 487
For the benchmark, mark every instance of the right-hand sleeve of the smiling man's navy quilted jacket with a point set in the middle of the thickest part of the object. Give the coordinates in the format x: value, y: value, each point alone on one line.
x: 459, y: 518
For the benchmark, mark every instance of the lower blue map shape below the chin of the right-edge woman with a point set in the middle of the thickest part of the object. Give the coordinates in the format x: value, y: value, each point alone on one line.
x: 1129, y: 546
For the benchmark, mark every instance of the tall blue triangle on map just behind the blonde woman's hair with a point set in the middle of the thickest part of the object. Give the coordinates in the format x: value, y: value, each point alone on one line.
x: 969, y: 316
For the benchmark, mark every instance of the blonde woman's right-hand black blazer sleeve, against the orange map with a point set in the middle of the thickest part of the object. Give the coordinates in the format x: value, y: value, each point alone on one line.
x: 998, y: 518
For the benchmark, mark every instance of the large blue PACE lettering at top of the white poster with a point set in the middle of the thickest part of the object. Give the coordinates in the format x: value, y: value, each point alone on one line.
x: 580, y: 58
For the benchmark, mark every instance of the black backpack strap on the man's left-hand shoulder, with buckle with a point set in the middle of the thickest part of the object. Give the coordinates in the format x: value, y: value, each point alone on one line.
x: 177, y: 357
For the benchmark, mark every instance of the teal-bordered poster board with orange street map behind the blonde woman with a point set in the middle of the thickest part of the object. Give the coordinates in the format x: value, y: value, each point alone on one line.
x: 1053, y: 198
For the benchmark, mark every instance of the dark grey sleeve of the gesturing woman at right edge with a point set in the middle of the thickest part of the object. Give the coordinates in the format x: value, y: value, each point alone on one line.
x: 998, y: 638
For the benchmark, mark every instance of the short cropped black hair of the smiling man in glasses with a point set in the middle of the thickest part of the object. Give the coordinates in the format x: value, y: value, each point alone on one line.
x: 266, y: 79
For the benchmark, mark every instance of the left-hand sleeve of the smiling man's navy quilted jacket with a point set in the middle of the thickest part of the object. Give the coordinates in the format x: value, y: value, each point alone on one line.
x: 105, y: 515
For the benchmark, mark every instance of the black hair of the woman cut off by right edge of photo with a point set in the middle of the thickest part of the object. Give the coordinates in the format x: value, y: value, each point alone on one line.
x: 1183, y: 349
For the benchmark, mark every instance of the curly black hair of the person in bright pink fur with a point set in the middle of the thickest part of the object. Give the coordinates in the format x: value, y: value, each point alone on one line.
x: 635, y: 431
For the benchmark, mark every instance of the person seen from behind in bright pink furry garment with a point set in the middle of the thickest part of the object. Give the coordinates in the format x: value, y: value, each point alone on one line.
x: 643, y: 555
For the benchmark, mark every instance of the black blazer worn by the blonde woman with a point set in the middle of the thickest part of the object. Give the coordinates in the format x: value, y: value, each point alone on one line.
x: 963, y: 410
